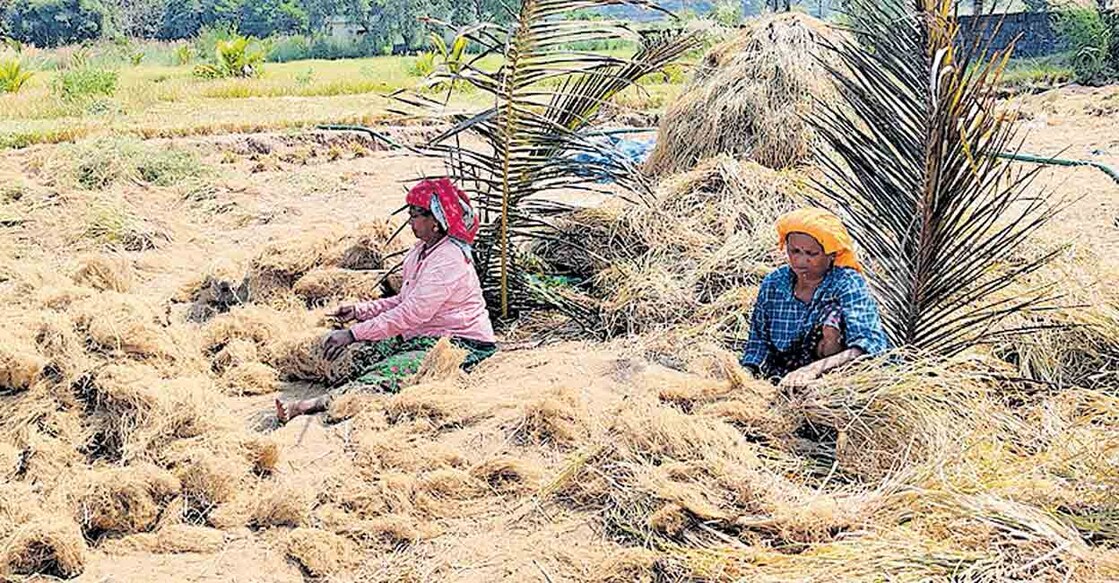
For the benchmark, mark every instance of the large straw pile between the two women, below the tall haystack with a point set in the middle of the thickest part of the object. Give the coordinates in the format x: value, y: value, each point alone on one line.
x: 691, y: 259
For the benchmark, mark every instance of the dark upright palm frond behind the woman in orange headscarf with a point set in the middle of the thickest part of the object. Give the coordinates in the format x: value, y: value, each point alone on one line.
x: 914, y: 168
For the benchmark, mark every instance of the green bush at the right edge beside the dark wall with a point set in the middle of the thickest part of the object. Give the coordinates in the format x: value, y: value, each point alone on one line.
x: 1090, y: 41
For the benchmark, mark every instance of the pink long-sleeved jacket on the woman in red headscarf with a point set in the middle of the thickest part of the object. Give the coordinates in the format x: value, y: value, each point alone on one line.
x: 441, y: 297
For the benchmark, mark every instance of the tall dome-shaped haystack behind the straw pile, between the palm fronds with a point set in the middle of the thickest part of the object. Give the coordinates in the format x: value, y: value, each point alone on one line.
x: 750, y: 99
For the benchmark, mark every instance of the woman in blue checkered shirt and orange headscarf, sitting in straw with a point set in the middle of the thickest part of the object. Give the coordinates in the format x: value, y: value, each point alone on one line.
x: 816, y: 314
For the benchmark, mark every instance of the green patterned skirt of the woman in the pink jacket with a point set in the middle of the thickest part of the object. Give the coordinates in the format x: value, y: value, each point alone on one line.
x: 384, y: 364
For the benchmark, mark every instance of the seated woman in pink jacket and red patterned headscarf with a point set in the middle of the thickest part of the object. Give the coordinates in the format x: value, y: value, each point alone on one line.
x: 441, y: 297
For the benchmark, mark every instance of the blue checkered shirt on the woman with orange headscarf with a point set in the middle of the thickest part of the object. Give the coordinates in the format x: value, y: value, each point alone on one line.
x: 781, y: 322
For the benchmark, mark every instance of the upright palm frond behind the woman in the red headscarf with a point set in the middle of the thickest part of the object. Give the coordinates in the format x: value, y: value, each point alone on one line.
x: 546, y: 96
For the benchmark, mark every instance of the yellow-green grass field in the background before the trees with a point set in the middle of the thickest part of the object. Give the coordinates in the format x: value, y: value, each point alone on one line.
x: 163, y: 101
